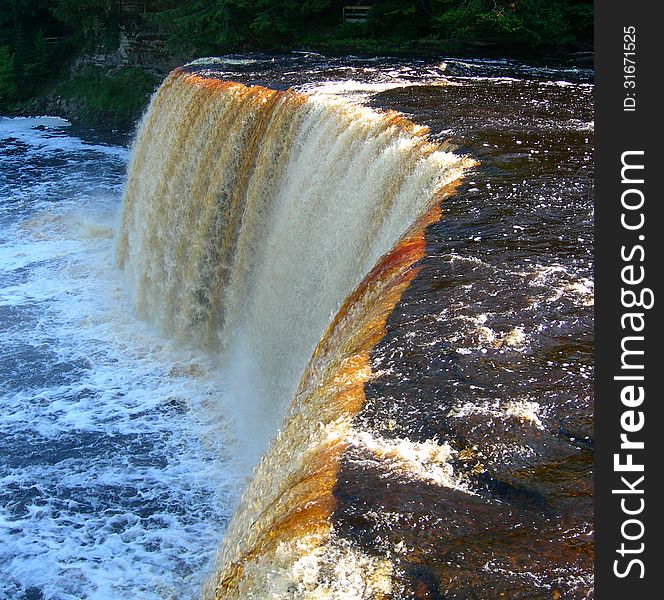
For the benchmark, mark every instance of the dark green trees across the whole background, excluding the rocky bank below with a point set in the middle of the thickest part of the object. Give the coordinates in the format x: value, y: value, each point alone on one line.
x: 38, y: 38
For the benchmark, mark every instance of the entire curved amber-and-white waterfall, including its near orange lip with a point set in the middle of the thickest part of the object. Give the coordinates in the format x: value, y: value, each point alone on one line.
x: 278, y: 230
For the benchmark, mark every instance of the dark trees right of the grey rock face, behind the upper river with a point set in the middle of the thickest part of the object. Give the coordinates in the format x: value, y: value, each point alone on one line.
x: 216, y: 26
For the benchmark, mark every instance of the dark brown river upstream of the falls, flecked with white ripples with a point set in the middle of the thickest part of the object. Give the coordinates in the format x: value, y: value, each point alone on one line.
x: 466, y: 470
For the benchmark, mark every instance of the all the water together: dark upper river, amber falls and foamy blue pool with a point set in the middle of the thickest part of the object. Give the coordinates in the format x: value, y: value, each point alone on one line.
x: 376, y: 274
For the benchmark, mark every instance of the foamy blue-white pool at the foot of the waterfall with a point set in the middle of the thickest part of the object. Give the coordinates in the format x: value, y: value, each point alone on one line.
x: 117, y: 466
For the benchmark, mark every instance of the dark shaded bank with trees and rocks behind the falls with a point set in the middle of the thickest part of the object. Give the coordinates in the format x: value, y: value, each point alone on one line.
x: 96, y: 63
